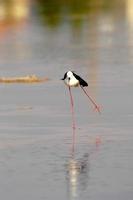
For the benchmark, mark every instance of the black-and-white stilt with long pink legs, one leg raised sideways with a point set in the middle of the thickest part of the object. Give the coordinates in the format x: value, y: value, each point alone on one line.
x: 73, y: 80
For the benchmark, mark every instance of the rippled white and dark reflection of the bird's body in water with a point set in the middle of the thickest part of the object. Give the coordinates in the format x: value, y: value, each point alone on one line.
x: 78, y: 173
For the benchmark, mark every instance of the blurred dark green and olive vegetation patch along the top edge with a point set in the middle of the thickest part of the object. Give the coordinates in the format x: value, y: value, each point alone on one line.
x: 52, y: 12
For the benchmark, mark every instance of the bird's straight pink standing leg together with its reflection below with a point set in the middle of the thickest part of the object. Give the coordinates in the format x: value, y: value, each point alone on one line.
x: 73, y: 119
